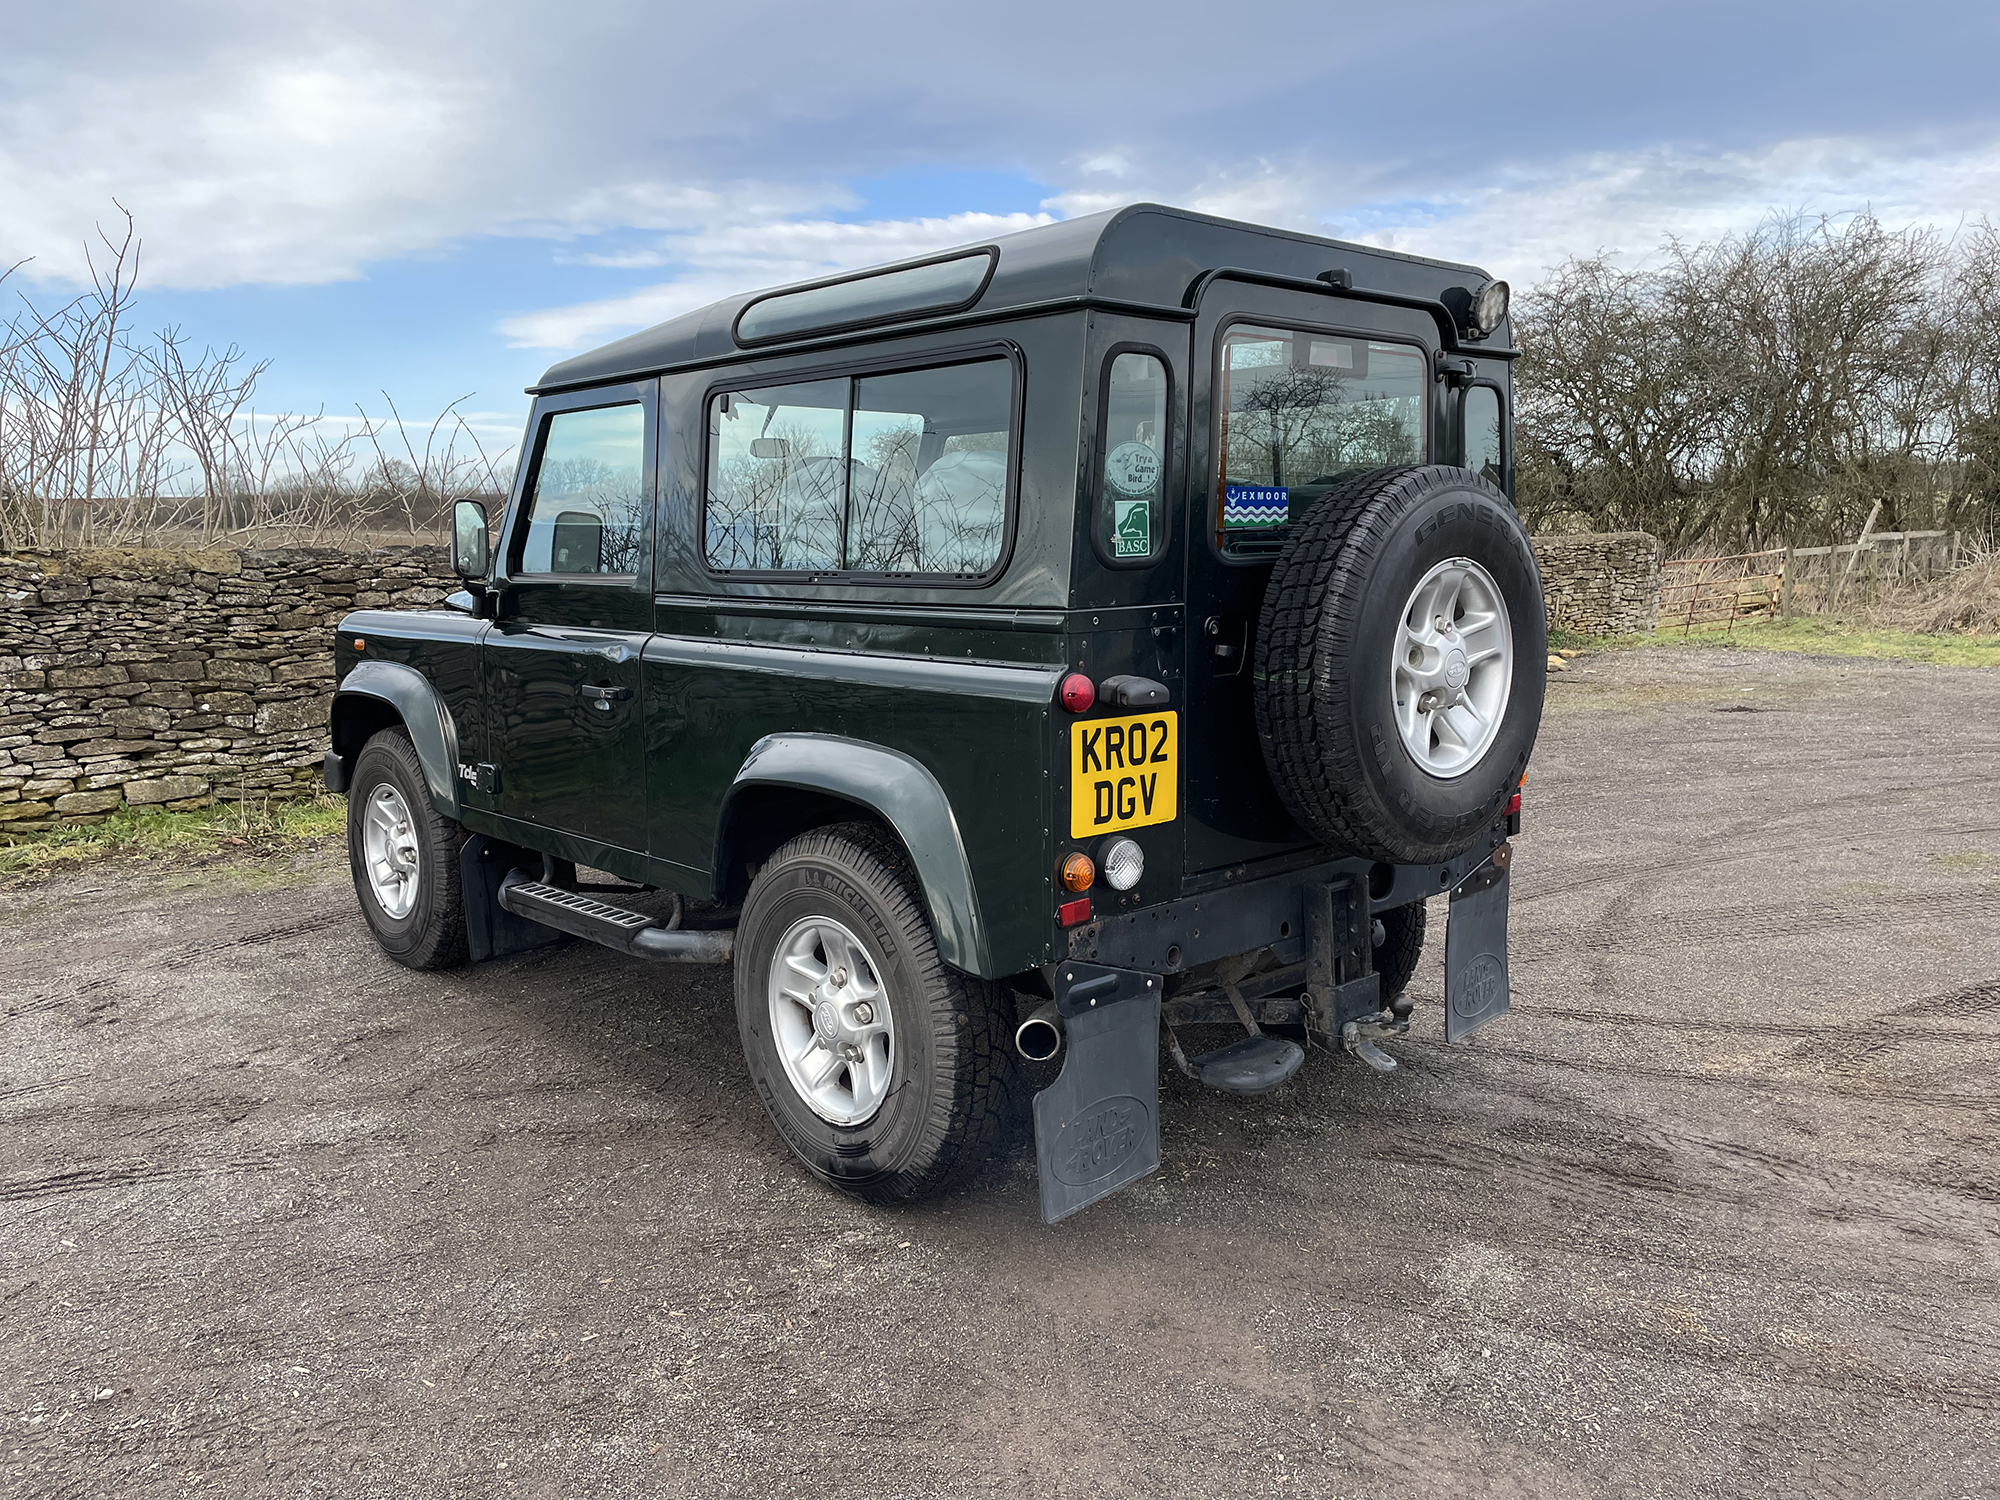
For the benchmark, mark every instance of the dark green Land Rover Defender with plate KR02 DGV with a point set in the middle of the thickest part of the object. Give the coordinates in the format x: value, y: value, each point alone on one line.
x: 995, y: 657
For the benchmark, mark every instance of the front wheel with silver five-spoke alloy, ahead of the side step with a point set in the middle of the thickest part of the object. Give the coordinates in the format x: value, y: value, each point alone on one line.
x: 405, y: 857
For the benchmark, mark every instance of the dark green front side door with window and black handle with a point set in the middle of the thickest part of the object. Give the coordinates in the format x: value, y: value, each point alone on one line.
x: 573, y: 615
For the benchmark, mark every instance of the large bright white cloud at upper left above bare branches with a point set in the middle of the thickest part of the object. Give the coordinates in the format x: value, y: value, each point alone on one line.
x: 271, y: 173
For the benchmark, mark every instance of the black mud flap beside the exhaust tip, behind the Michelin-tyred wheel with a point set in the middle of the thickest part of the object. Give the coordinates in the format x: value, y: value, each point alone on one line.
x: 1099, y: 1125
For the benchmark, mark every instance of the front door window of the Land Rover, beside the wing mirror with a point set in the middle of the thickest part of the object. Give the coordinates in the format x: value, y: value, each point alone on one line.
x: 587, y: 495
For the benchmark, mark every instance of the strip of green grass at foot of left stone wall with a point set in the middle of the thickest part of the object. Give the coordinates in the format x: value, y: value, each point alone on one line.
x: 229, y: 831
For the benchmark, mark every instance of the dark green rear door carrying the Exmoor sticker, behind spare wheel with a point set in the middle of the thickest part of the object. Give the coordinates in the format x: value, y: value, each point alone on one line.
x: 1291, y: 393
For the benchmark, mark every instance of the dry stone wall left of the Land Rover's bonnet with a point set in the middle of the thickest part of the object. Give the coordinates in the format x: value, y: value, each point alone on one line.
x: 163, y: 679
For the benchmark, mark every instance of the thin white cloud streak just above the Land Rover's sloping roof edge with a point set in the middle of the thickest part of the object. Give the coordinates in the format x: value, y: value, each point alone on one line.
x: 745, y: 257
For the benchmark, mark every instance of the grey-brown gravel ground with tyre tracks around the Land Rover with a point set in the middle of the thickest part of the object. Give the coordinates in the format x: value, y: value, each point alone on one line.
x: 1713, y: 1215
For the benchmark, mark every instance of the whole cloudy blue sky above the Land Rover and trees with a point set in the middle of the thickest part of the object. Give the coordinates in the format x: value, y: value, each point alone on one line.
x: 441, y: 201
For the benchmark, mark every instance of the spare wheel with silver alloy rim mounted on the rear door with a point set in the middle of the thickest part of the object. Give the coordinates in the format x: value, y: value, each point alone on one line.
x: 1401, y: 663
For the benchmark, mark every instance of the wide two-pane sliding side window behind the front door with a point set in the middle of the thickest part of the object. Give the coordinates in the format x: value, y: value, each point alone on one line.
x: 881, y: 475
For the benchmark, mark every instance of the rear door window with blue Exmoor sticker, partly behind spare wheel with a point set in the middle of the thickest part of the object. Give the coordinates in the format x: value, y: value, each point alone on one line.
x: 1299, y: 413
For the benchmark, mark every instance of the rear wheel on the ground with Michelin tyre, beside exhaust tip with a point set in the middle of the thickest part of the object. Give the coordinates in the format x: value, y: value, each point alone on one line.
x: 885, y: 1071
